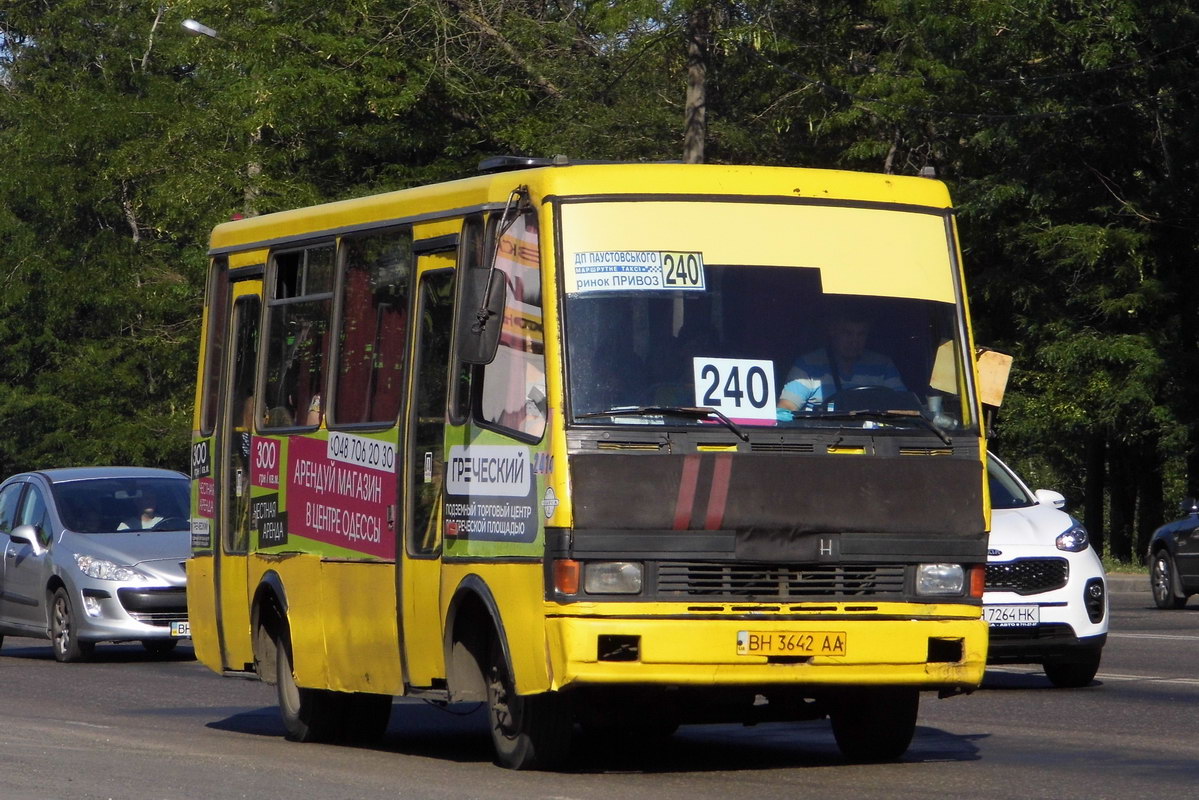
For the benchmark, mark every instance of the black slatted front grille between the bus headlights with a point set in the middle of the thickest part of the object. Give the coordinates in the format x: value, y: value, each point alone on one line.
x: 779, y: 582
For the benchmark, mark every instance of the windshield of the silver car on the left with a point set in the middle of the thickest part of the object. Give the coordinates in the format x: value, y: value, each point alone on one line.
x: 107, y: 506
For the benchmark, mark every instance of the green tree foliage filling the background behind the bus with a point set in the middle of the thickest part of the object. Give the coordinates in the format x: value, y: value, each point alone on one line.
x: 1067, y: 131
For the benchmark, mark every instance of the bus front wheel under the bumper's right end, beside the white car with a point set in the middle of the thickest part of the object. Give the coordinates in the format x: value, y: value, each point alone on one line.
x: 875, y: 725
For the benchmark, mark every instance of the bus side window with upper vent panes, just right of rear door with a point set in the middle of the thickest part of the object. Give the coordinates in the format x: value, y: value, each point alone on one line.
x: 298, y: 339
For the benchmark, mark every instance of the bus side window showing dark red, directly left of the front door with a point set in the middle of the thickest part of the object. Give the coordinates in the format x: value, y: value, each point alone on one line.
x: 376, y: 278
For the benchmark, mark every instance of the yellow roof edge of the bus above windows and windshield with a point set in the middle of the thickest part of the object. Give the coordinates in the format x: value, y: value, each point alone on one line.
x: 490, y: 191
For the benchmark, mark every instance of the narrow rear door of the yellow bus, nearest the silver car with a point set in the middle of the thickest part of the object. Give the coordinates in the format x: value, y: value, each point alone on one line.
x: 234, y: 450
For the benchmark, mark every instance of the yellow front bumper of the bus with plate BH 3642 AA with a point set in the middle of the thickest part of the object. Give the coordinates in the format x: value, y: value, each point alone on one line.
x: 931, y: 654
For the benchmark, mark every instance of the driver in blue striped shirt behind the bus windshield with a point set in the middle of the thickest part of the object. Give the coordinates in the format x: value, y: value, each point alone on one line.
x: 843, y: 364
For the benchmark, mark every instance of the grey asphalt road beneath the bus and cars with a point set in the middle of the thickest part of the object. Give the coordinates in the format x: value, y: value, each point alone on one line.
x: 129, y: 727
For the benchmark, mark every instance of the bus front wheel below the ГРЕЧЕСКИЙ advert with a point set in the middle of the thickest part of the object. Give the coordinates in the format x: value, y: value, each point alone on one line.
x: 528, y: 731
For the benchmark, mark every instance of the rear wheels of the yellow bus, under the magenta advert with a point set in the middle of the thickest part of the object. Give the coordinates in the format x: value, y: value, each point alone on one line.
x: 324, y: 715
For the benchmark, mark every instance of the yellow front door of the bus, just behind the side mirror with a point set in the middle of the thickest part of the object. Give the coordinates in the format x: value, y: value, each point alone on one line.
x: 425, y: 467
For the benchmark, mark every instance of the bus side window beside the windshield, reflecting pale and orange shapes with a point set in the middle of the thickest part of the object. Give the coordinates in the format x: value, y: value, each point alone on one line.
x: 514, y: 392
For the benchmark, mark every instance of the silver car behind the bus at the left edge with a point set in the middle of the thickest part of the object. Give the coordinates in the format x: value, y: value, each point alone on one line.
x: 95, y: 555
